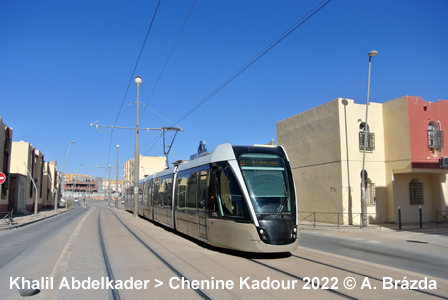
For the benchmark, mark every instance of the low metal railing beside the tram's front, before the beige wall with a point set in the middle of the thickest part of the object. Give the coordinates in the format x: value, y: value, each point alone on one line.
x: 329, y: 219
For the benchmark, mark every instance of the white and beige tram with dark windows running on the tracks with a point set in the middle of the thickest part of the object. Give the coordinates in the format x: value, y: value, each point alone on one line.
x: 238, y: 197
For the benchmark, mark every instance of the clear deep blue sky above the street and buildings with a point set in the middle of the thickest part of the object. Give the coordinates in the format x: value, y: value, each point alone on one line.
x: 67, y: 64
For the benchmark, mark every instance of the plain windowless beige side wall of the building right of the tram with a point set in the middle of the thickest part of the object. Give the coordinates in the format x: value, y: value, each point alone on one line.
x: 312, y: 141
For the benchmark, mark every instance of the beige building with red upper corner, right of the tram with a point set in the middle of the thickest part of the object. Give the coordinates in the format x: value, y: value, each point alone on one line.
x: 403, y: 153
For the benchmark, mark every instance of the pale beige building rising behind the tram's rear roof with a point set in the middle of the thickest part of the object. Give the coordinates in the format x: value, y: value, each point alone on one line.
x: 148, y: 165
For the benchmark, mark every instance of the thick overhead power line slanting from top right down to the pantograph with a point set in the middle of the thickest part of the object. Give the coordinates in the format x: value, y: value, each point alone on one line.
x: 258, y: 56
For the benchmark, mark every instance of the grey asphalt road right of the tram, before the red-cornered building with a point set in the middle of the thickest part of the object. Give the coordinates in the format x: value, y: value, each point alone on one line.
x: 415, y: 252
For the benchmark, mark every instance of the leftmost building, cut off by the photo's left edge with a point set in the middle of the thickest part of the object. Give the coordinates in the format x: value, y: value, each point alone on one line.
x: 5, y: 161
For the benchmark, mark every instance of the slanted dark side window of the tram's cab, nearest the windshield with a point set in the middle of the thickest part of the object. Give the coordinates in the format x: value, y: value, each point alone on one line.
x: 229, y: 194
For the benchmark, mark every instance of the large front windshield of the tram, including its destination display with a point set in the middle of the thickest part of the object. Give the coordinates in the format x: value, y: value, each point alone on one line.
x: 267, y: 181
